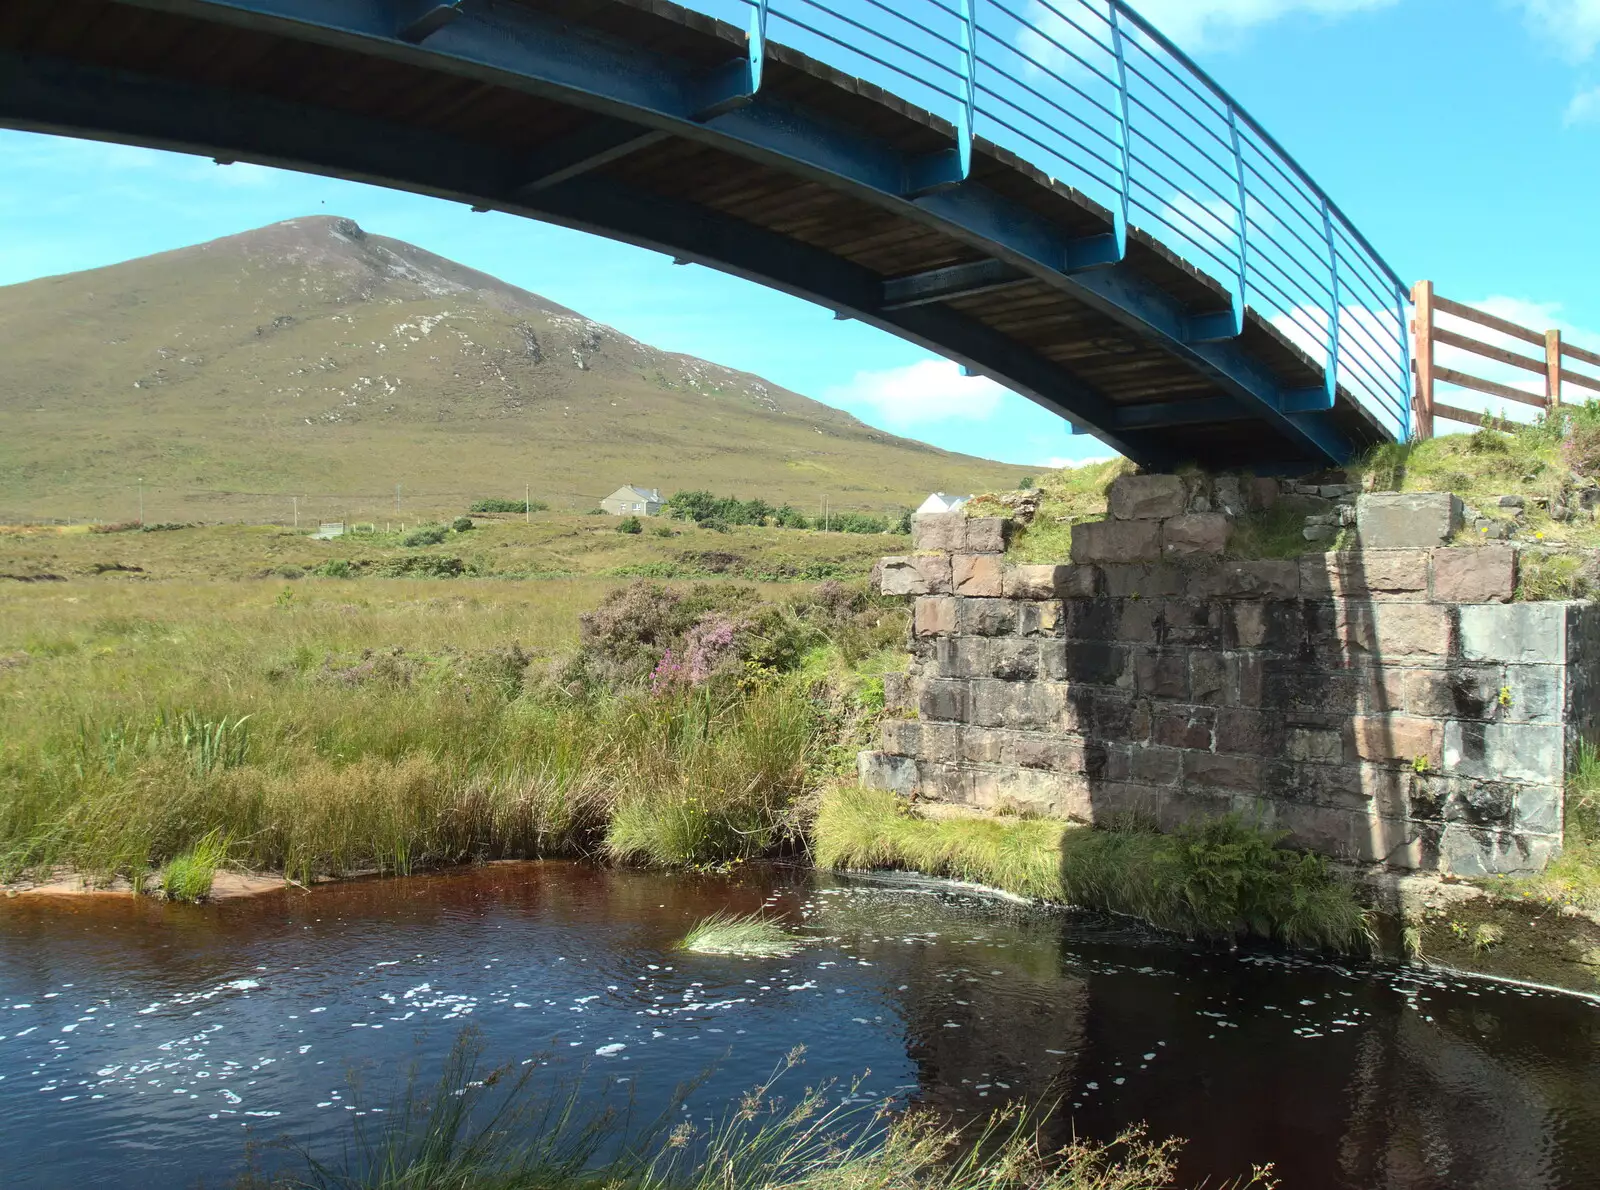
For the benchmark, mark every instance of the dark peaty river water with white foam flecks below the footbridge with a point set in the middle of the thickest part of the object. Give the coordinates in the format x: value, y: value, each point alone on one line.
x: 145, y: 1044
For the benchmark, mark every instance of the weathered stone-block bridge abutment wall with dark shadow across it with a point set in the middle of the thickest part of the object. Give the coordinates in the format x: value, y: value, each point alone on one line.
x: 1386, y: 705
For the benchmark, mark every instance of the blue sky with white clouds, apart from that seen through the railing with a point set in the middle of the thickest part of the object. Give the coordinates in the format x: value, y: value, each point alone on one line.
x: 1462, y: 137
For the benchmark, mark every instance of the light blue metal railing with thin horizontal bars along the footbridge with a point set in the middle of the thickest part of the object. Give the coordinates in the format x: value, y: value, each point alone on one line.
x: 1100, y: 100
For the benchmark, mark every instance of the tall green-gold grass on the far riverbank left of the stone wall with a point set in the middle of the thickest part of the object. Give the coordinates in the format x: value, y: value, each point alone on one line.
x: 391, y: 725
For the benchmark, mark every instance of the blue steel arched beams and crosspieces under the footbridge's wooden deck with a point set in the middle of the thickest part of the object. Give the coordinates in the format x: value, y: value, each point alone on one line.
x: 631, y: 100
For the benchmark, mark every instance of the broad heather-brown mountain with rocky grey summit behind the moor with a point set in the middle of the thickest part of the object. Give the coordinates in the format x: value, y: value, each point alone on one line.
x: 313, y: 359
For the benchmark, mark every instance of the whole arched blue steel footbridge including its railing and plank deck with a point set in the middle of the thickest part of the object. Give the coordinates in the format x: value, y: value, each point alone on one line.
x: 1046, y: 191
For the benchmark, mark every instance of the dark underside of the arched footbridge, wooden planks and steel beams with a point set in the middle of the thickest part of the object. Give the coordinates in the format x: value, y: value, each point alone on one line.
x: 641, y: 121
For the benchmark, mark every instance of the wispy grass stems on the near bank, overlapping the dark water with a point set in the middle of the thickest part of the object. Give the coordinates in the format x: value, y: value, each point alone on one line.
x: 474, y: 1132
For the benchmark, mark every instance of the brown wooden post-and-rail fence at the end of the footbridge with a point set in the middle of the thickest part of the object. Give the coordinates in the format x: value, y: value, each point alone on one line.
x: 1428, y: 335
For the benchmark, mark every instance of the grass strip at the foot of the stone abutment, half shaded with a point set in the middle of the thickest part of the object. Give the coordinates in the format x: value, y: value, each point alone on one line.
x: 1215, y: 879
